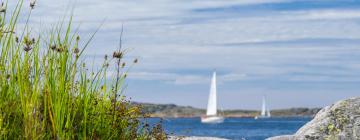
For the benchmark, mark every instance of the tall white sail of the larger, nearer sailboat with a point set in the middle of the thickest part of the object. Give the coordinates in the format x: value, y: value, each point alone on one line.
x: 212, y: 104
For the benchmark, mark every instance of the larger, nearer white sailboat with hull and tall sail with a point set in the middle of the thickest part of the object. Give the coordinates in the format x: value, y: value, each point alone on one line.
x: 211, y: 112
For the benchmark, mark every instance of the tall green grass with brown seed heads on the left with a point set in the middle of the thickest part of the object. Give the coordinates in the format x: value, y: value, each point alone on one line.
x: 47, y: 92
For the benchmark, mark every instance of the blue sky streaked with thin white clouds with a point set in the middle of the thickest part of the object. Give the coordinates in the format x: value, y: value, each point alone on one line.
x: 301, y: 53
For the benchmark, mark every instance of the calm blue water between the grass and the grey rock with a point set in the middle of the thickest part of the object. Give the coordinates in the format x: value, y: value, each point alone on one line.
x: 234, y: 128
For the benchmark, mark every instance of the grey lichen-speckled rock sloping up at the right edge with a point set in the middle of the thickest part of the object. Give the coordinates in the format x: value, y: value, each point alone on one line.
x: 340, y: 121
